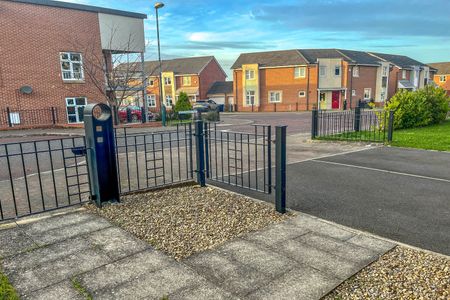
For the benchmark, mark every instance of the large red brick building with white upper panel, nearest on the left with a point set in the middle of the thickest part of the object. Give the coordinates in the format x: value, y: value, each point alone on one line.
x: 44, y: 48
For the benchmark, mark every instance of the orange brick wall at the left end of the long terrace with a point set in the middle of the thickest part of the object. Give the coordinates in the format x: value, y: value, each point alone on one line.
x: 280, y: 79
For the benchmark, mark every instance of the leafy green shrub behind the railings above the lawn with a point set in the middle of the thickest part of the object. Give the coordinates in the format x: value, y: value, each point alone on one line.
x: 419, y: 108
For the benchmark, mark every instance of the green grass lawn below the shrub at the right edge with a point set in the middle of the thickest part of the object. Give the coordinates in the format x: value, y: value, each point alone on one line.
x: 435, y: 137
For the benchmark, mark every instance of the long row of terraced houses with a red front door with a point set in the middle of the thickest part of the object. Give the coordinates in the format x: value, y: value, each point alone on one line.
x: 300, y: 79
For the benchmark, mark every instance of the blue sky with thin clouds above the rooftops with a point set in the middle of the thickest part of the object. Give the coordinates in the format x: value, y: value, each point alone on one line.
x: 416, y: 28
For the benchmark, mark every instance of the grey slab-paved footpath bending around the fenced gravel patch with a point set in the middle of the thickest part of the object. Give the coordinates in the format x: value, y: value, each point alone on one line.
x: 302, y: 258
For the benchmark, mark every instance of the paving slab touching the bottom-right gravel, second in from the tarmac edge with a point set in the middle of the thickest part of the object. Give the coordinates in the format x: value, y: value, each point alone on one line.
x: 339, y: 248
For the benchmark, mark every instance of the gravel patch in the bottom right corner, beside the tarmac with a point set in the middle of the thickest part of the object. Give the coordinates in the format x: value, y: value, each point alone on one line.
x: 402, y: 273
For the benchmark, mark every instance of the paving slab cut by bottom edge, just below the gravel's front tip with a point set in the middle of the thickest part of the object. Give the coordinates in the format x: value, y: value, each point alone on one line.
x: 154, y: 285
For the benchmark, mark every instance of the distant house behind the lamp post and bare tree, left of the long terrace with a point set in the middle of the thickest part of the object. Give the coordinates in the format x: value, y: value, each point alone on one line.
x: 192, y: 75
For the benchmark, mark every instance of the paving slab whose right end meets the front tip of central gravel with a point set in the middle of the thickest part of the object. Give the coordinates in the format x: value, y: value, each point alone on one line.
x: 123, y: 271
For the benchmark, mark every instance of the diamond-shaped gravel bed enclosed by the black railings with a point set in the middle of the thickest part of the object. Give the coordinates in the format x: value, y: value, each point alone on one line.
x: 184, y: 220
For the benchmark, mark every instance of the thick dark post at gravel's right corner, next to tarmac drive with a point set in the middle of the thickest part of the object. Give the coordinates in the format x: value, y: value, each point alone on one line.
x: 280, y: 169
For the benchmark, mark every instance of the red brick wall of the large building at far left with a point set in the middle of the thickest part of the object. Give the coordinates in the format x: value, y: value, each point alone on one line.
x: 34, y: 35
